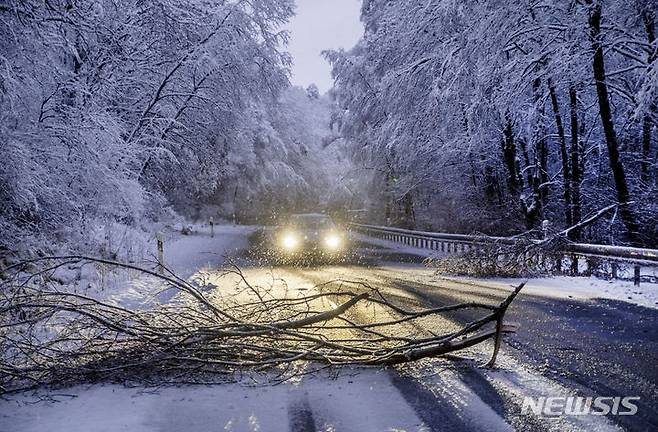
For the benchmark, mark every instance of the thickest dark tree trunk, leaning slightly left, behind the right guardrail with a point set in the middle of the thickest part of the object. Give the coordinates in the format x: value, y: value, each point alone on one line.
x: 621, y: 186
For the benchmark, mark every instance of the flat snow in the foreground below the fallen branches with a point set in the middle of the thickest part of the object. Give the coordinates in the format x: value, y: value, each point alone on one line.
x: 369, y: 403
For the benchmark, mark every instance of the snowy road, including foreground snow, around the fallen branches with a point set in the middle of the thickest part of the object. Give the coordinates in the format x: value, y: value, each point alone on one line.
x: 565, y: 346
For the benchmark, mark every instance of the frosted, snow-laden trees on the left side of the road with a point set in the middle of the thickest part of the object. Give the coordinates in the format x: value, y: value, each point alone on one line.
x: 120, y: 114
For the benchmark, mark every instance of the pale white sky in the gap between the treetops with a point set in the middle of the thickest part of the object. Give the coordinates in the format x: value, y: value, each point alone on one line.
x: 320, y: 25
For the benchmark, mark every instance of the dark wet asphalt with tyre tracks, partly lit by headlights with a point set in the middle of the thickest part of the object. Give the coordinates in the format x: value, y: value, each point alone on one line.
x: 578, y: 347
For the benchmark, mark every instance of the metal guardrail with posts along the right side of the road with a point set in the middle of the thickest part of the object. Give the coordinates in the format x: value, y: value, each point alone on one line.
x: 617, y: 256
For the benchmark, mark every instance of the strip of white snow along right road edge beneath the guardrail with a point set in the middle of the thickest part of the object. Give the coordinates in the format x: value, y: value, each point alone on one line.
x: 564, y: 287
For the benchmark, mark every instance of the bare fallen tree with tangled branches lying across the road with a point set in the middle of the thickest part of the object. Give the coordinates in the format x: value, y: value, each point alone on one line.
x: 51, y: 335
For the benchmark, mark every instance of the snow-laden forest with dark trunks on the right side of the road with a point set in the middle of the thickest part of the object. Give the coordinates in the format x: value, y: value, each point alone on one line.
x: 505, y: 117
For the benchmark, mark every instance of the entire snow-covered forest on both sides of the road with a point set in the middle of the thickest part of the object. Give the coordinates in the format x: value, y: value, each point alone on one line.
x: 491, y: 116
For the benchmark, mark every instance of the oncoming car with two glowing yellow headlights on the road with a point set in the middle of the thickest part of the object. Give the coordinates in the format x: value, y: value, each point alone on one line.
x: 310, y: 236
